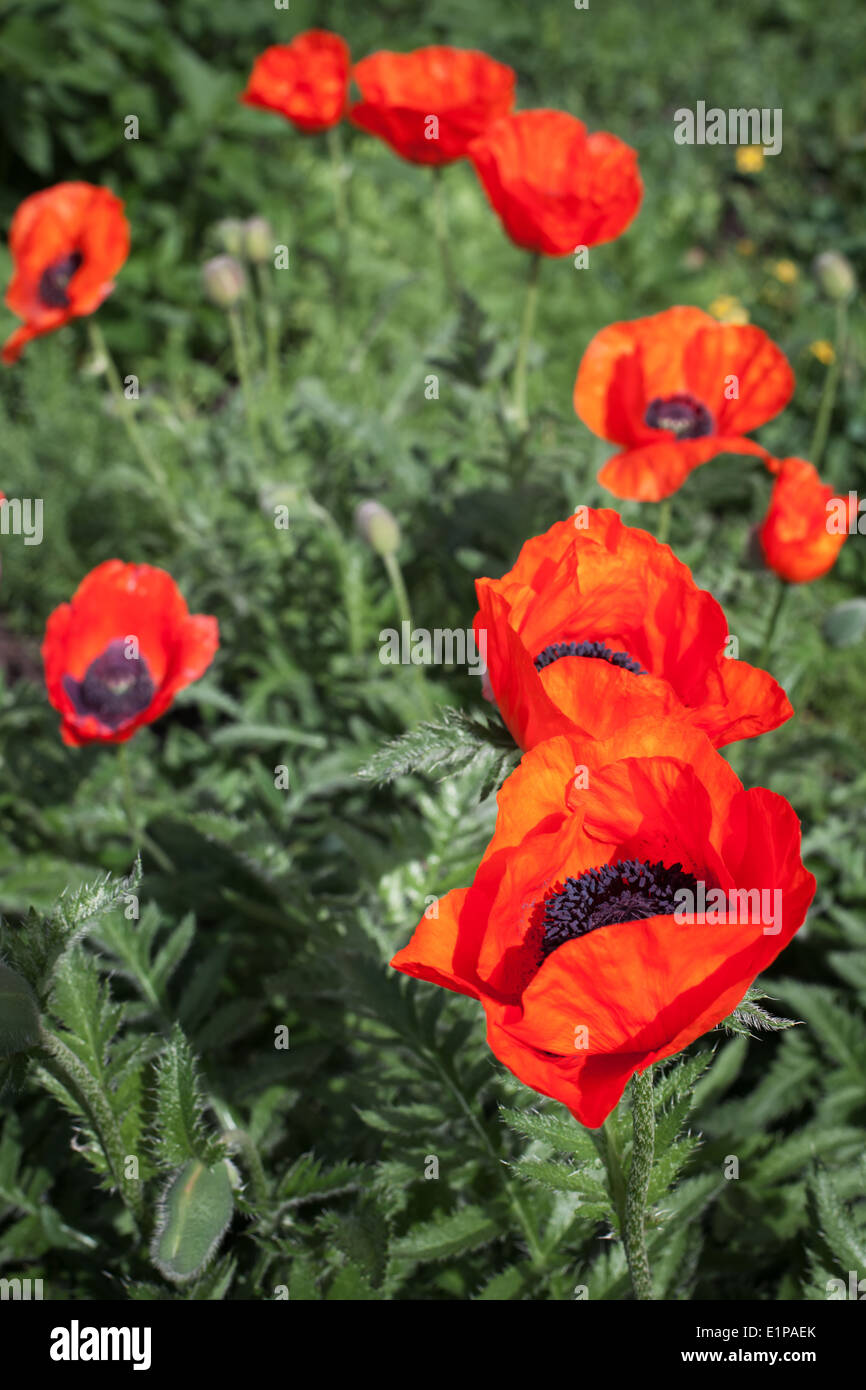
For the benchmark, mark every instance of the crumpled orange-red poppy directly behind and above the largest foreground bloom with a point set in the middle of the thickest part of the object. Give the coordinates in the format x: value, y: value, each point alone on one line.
x: 598, y: 623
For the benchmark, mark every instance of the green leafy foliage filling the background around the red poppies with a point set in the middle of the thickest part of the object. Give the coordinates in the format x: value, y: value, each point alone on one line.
x: 265, y: 910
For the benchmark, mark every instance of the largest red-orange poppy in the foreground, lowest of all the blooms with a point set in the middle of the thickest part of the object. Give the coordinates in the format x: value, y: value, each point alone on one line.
x: 612, y: 924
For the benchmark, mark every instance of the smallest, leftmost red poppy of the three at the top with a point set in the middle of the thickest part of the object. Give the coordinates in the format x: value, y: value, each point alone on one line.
x: 307, y: 80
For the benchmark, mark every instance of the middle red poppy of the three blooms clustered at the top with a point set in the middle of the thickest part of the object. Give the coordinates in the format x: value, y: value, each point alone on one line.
x: 429, y: 105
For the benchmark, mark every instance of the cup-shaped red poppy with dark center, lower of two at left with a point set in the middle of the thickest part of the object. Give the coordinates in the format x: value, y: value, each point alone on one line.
x: 122, y: 650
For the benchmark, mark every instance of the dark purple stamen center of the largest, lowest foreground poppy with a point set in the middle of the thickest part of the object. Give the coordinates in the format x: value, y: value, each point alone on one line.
x: 625, y: 892
